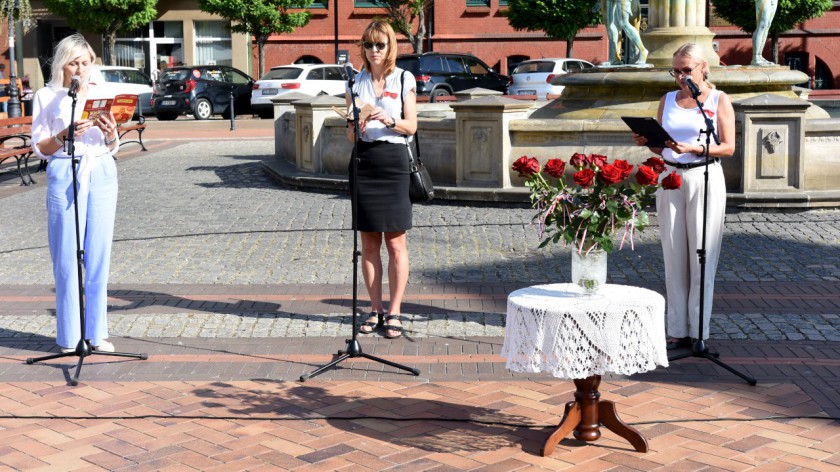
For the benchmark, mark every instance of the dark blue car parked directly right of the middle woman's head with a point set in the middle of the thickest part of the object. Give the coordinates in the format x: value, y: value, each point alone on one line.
x: 441, y: 74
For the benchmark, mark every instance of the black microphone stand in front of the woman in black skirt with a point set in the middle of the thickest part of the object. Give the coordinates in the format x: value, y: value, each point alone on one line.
x: 354, y: 348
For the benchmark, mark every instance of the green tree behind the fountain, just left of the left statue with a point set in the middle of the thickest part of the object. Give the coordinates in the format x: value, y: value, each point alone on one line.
x: 559, y: 19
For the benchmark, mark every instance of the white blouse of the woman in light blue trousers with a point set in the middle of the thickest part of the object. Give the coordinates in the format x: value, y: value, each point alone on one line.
x: 51, y: 114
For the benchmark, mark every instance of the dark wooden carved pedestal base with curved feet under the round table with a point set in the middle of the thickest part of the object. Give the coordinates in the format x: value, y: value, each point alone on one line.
x: 586, y: 414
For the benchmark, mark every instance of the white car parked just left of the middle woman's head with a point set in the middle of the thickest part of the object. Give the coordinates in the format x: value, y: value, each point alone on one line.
x: 310, y: 79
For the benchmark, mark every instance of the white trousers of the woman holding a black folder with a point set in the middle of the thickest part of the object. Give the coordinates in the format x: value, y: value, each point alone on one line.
x: 680, y: 215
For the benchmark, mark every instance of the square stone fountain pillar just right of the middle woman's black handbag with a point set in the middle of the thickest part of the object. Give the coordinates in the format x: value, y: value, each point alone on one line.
x: 482, y: 130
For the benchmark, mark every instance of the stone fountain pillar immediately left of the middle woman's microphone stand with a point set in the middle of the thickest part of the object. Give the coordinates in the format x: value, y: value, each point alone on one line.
x: 309, y: 123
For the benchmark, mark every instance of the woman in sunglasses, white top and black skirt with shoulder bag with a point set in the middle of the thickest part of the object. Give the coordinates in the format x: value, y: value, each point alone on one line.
x: 384, y: 209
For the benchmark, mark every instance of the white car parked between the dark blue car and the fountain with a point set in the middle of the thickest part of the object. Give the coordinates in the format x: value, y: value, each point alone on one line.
x: 534, y: 77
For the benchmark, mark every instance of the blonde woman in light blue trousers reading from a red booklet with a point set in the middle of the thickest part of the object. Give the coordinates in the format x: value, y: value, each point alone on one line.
x: 95, y: 143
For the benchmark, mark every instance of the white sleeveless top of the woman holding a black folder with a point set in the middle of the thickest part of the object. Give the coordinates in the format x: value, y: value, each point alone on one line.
x: 684, y: 124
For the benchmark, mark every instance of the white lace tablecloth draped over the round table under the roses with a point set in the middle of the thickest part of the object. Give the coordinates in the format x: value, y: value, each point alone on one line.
x: 556, y: 329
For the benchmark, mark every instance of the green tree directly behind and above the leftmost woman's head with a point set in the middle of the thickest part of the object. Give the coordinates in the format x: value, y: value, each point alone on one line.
x: 105, y: 17
